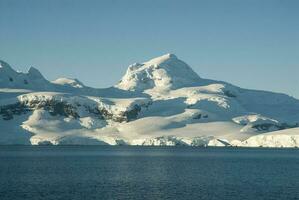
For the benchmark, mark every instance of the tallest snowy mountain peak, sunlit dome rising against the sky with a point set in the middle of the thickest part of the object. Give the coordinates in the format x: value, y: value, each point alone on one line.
x: 164, y: 72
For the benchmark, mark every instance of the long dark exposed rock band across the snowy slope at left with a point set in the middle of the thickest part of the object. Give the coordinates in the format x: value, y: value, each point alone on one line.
x: 56, y: 105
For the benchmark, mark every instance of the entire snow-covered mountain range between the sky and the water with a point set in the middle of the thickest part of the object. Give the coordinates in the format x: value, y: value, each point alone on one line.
x: 159, y: 102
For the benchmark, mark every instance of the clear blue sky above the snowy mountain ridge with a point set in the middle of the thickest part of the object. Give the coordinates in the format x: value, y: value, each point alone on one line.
x: 250, y: 43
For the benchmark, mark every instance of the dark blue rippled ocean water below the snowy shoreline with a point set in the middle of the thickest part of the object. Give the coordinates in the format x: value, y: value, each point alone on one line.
x: 122, y: 172
